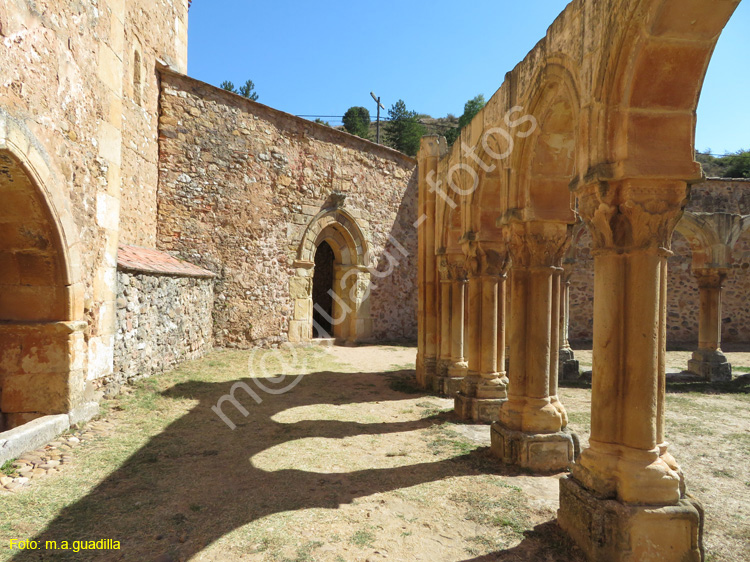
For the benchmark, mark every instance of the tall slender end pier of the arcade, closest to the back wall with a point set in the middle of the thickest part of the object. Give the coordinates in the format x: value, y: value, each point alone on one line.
x: 428, y: 159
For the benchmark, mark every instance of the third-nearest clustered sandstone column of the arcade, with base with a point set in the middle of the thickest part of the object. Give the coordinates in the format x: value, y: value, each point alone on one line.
x: 483, y: 389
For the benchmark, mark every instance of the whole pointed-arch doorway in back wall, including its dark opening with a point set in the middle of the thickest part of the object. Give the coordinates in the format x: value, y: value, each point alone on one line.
x: 331, y: 264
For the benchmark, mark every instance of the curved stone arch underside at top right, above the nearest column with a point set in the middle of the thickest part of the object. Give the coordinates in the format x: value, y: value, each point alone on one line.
x: 650, y: 83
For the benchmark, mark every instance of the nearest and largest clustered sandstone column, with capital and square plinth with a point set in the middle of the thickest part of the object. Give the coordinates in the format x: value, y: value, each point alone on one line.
x: 626, y: 479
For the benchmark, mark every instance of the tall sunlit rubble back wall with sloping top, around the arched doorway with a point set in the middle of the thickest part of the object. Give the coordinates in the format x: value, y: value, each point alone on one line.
x: 240, y: 183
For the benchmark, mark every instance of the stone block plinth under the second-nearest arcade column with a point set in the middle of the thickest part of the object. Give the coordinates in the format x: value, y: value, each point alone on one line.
x: 542, y: 453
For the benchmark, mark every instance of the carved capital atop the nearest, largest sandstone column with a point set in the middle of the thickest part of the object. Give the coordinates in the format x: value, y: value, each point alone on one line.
x: 631, y: 214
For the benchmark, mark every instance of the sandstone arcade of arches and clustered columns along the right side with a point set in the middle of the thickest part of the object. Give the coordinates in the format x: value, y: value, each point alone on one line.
x: 597, y: 122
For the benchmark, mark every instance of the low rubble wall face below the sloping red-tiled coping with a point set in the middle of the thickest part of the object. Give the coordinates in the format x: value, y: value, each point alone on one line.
x: 162, y: 320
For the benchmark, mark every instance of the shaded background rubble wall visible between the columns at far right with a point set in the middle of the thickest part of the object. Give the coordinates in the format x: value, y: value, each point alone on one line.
x: 727, y: 196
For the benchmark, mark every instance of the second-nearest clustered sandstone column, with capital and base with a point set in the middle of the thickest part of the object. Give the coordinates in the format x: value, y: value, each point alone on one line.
x: 531, y: 431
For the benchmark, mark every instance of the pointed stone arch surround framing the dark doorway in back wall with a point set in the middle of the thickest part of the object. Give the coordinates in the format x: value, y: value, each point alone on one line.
x: 351, y: 307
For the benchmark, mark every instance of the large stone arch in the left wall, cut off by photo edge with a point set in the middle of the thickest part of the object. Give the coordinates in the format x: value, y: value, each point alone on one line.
x: 42, y: 346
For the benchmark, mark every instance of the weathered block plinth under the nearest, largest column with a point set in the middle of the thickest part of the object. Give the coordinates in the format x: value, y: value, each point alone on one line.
x: 608, y: 530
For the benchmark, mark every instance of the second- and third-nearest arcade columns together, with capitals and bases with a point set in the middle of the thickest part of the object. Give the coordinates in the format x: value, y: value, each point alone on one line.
x: 530, y: 422
